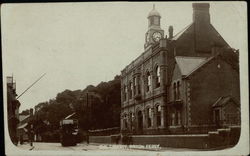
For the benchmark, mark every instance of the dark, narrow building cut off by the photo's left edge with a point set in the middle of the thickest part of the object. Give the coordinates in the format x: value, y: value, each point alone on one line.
x: 13, y: 109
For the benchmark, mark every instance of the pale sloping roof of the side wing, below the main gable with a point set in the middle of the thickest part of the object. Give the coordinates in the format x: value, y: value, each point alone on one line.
x: 189, y: 64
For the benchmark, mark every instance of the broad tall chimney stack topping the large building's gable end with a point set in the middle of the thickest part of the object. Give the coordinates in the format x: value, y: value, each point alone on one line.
x: 201, y: 13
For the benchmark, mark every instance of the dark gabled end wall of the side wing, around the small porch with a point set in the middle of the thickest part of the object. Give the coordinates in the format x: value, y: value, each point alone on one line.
x: 223, y: 81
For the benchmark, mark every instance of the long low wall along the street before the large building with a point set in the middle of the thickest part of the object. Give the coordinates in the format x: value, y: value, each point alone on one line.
x: 214, y: 139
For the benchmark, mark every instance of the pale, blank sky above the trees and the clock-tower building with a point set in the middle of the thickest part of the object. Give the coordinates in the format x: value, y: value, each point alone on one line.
x: 78, y: 44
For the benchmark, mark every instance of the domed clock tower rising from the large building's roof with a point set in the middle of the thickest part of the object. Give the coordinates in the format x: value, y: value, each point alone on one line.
x: 154, y: 33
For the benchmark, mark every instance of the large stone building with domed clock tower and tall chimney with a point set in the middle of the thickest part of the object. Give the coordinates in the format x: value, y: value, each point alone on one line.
x: 183, y: 83
